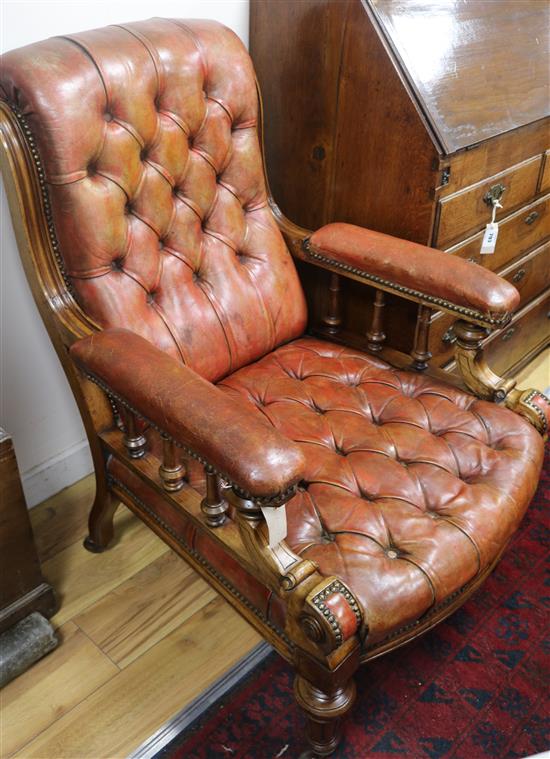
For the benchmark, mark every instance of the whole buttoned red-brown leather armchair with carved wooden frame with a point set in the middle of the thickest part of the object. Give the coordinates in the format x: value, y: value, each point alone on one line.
x: 343, y: 498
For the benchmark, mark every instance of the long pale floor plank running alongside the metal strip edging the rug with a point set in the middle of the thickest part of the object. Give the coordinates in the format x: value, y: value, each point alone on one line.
x: 129, y: 708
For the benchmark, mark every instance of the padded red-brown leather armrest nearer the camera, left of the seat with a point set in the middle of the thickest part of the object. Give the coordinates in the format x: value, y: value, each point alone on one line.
x: 225, y: 433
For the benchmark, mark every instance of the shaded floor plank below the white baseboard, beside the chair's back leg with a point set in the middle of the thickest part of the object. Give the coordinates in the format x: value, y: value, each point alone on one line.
x: 62, y: 519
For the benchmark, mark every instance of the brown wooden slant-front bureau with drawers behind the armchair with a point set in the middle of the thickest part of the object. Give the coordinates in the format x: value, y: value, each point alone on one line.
x: 402, y: 117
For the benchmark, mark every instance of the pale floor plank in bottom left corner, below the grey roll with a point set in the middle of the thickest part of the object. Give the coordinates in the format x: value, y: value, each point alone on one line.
x: 51, y: 688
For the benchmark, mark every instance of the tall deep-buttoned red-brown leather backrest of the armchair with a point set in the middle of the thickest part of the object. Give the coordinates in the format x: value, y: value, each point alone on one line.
x: 147, y: 133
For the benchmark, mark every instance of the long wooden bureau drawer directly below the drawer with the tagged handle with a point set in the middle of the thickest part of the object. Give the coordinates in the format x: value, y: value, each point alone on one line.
x: 517, y: 234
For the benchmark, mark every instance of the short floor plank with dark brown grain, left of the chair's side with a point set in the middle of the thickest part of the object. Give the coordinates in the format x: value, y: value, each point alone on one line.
x: 144, y: 609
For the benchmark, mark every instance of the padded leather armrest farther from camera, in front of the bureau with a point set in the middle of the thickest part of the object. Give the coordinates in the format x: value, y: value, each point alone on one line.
x: 415, y: 270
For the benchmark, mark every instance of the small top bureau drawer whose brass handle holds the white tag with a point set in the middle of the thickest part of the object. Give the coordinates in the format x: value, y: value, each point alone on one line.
x: 466, y: 210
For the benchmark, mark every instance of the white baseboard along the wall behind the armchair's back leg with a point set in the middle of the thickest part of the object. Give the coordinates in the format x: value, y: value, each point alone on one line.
x: 56, y: 473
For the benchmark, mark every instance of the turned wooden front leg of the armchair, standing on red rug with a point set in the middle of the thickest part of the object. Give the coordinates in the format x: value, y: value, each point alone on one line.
x: 324, y: 712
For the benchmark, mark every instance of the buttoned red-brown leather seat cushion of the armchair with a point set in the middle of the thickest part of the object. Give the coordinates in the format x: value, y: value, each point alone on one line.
x: 413, y: 487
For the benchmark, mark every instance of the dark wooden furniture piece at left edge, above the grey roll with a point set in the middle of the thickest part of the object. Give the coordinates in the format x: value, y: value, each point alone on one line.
x: 22, y: 586
